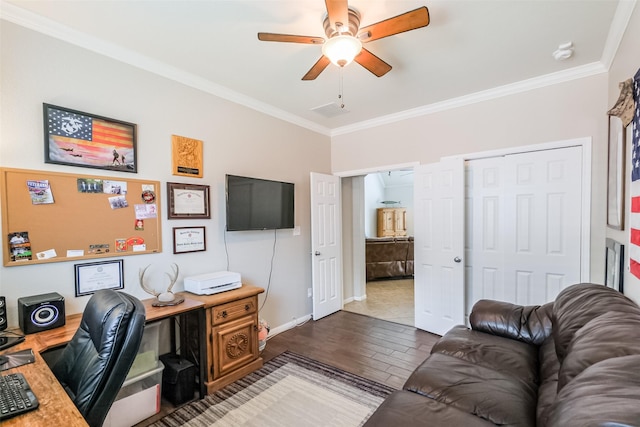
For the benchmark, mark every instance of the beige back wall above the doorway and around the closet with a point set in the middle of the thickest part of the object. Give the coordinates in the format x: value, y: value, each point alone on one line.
x: 561, y: 112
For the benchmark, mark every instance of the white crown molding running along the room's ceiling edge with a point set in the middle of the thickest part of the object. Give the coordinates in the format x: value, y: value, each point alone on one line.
x: 51, y: 28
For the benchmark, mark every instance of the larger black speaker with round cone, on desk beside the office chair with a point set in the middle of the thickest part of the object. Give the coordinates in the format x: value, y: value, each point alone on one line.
x: 41, y: 312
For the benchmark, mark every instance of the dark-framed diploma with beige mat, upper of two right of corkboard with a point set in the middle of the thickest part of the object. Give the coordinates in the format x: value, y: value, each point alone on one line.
x: 188, y: 201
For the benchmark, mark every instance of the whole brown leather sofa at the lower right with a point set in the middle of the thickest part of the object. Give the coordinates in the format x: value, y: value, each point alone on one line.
x: 572, y: 362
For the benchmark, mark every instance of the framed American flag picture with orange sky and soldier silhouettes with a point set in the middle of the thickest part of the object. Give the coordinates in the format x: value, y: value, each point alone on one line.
x: 76, y: 138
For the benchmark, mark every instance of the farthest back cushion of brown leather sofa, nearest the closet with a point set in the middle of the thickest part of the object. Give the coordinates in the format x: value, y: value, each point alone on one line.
x: 578, y: 304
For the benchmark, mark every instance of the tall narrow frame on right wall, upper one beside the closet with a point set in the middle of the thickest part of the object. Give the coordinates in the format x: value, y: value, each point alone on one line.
x: 615, y: 174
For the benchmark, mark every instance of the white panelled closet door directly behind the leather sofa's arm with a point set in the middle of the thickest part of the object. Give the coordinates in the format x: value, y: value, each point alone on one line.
x: 524, y: 226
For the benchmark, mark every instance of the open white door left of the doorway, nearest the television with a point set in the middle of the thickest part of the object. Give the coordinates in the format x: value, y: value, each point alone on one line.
x: 326, y: 244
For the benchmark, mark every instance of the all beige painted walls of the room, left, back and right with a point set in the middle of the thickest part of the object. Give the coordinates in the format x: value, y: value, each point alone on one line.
x: 37, y: 69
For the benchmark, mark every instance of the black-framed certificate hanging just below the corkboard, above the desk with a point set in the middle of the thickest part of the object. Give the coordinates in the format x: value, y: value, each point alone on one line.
x: 94, y: 276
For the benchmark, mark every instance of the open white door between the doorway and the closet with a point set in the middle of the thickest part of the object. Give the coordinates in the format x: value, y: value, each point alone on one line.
x: 439, y: 245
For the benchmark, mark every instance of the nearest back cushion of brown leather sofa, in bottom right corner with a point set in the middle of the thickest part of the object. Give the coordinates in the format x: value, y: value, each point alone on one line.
x: 604, y: 394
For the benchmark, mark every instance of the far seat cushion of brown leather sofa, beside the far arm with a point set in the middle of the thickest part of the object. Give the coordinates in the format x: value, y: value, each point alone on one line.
x: 495, y: 352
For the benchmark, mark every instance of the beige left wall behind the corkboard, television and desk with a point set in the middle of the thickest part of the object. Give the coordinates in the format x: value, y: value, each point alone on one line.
x: 237, y: 140
